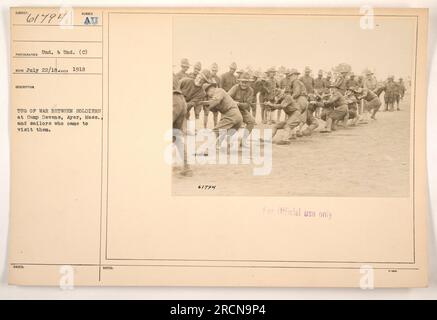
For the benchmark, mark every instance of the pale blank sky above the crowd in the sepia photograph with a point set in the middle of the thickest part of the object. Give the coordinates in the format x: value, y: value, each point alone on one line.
x: 319, y: 42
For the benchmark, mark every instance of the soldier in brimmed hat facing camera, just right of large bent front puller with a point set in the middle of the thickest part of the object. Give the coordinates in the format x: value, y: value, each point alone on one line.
x: 242, y: 93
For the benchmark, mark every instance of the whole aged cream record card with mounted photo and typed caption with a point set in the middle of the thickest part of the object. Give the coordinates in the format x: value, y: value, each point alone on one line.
x: 294, y: 154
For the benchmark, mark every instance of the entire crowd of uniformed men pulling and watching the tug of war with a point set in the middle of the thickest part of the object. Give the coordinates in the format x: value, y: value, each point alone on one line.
x: 286, y: 100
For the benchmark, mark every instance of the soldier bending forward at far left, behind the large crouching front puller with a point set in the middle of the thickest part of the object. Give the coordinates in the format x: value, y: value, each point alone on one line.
x: 194, y: 93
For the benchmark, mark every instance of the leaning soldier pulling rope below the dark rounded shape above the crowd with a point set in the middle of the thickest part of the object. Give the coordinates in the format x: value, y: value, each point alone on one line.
x: 337, y: 109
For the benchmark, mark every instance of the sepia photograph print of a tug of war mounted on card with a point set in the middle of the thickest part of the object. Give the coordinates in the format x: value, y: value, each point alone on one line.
x: 293, y: 105
